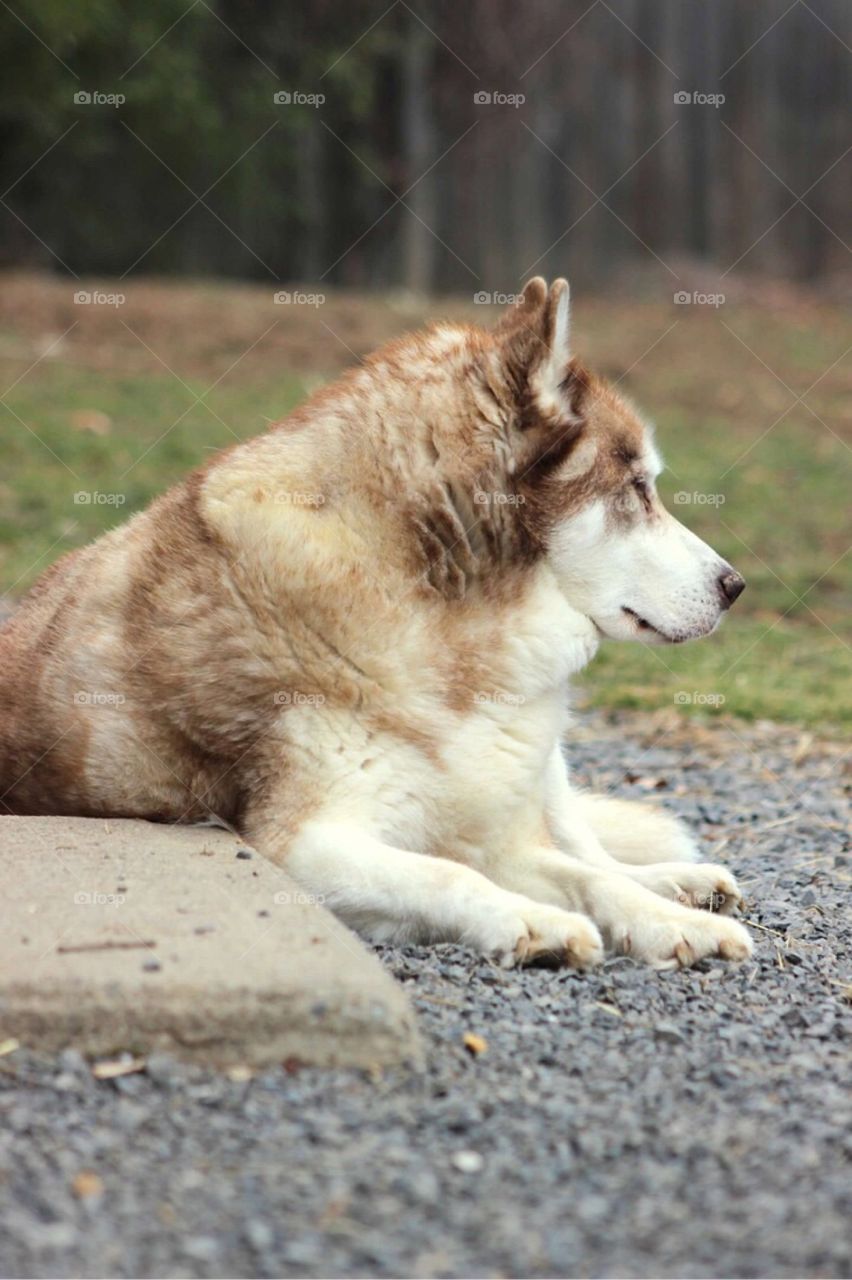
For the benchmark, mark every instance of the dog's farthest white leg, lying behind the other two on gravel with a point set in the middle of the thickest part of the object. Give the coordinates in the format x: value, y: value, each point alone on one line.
x: 596, y: 830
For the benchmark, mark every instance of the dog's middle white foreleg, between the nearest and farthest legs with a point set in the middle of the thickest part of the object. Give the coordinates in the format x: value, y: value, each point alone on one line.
x: 633, y: 920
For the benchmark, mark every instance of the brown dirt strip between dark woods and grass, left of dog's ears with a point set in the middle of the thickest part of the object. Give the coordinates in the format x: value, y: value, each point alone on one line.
x: 199, y: 328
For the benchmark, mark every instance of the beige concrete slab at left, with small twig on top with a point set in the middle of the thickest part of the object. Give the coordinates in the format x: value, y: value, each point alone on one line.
x: 132, y: 936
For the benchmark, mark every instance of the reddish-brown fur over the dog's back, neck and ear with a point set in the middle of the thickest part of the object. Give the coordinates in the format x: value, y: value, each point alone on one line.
x: 200, y: 637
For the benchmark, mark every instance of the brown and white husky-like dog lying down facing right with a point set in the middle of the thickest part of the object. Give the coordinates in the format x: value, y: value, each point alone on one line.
x: 351, y: 639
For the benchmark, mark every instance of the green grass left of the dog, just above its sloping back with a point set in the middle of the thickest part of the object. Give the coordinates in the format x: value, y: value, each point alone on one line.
x: 153, y: 442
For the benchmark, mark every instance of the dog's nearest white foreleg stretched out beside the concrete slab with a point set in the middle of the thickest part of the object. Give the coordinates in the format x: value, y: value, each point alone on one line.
x: 392, y: 895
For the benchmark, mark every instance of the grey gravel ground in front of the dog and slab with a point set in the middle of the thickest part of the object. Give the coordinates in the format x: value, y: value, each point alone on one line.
x: 617, y: 1124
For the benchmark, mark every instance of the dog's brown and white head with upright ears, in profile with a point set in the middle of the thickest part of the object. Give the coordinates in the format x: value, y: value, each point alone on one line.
x: 581, y: 467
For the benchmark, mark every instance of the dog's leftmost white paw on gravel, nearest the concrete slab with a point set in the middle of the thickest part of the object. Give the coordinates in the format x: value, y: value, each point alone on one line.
x: 547, y: 938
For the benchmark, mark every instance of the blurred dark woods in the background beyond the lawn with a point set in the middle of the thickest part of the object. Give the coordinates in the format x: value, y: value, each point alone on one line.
x: 400, y: 176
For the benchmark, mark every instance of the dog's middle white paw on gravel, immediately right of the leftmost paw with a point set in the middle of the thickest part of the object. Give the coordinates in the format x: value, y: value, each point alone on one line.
x: 677, y: 938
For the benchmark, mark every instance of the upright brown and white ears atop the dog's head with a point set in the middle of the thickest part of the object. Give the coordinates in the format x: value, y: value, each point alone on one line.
x: 538, y: 348
